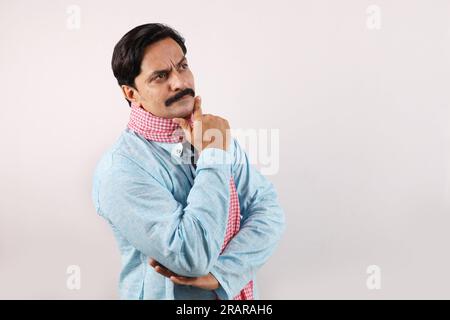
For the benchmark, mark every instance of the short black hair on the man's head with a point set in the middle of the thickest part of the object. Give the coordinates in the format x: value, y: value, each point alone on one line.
x: 129, y: 51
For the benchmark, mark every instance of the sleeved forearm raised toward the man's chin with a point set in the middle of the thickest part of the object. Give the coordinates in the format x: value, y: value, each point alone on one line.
x: 197, y: 240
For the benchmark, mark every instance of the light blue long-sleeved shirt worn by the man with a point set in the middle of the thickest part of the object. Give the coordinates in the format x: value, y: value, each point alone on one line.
x: 159, y: 206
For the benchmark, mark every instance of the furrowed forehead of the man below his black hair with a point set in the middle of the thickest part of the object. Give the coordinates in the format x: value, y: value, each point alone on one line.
x: 161, y: 55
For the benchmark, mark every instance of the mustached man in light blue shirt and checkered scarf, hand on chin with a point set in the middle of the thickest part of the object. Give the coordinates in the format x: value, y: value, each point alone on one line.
x: 192, y: 218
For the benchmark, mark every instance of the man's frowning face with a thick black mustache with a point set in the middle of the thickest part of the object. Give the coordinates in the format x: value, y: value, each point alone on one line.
x: 164, y: 77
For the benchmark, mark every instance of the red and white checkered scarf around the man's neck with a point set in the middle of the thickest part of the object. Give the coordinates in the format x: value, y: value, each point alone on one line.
x: 159, y: 129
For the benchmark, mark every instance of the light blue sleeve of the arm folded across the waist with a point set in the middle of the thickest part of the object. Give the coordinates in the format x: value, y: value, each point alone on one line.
x: 262, y: 225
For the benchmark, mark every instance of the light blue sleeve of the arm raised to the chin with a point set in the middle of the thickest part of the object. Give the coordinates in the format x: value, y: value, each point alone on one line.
x: 187, y: 240
